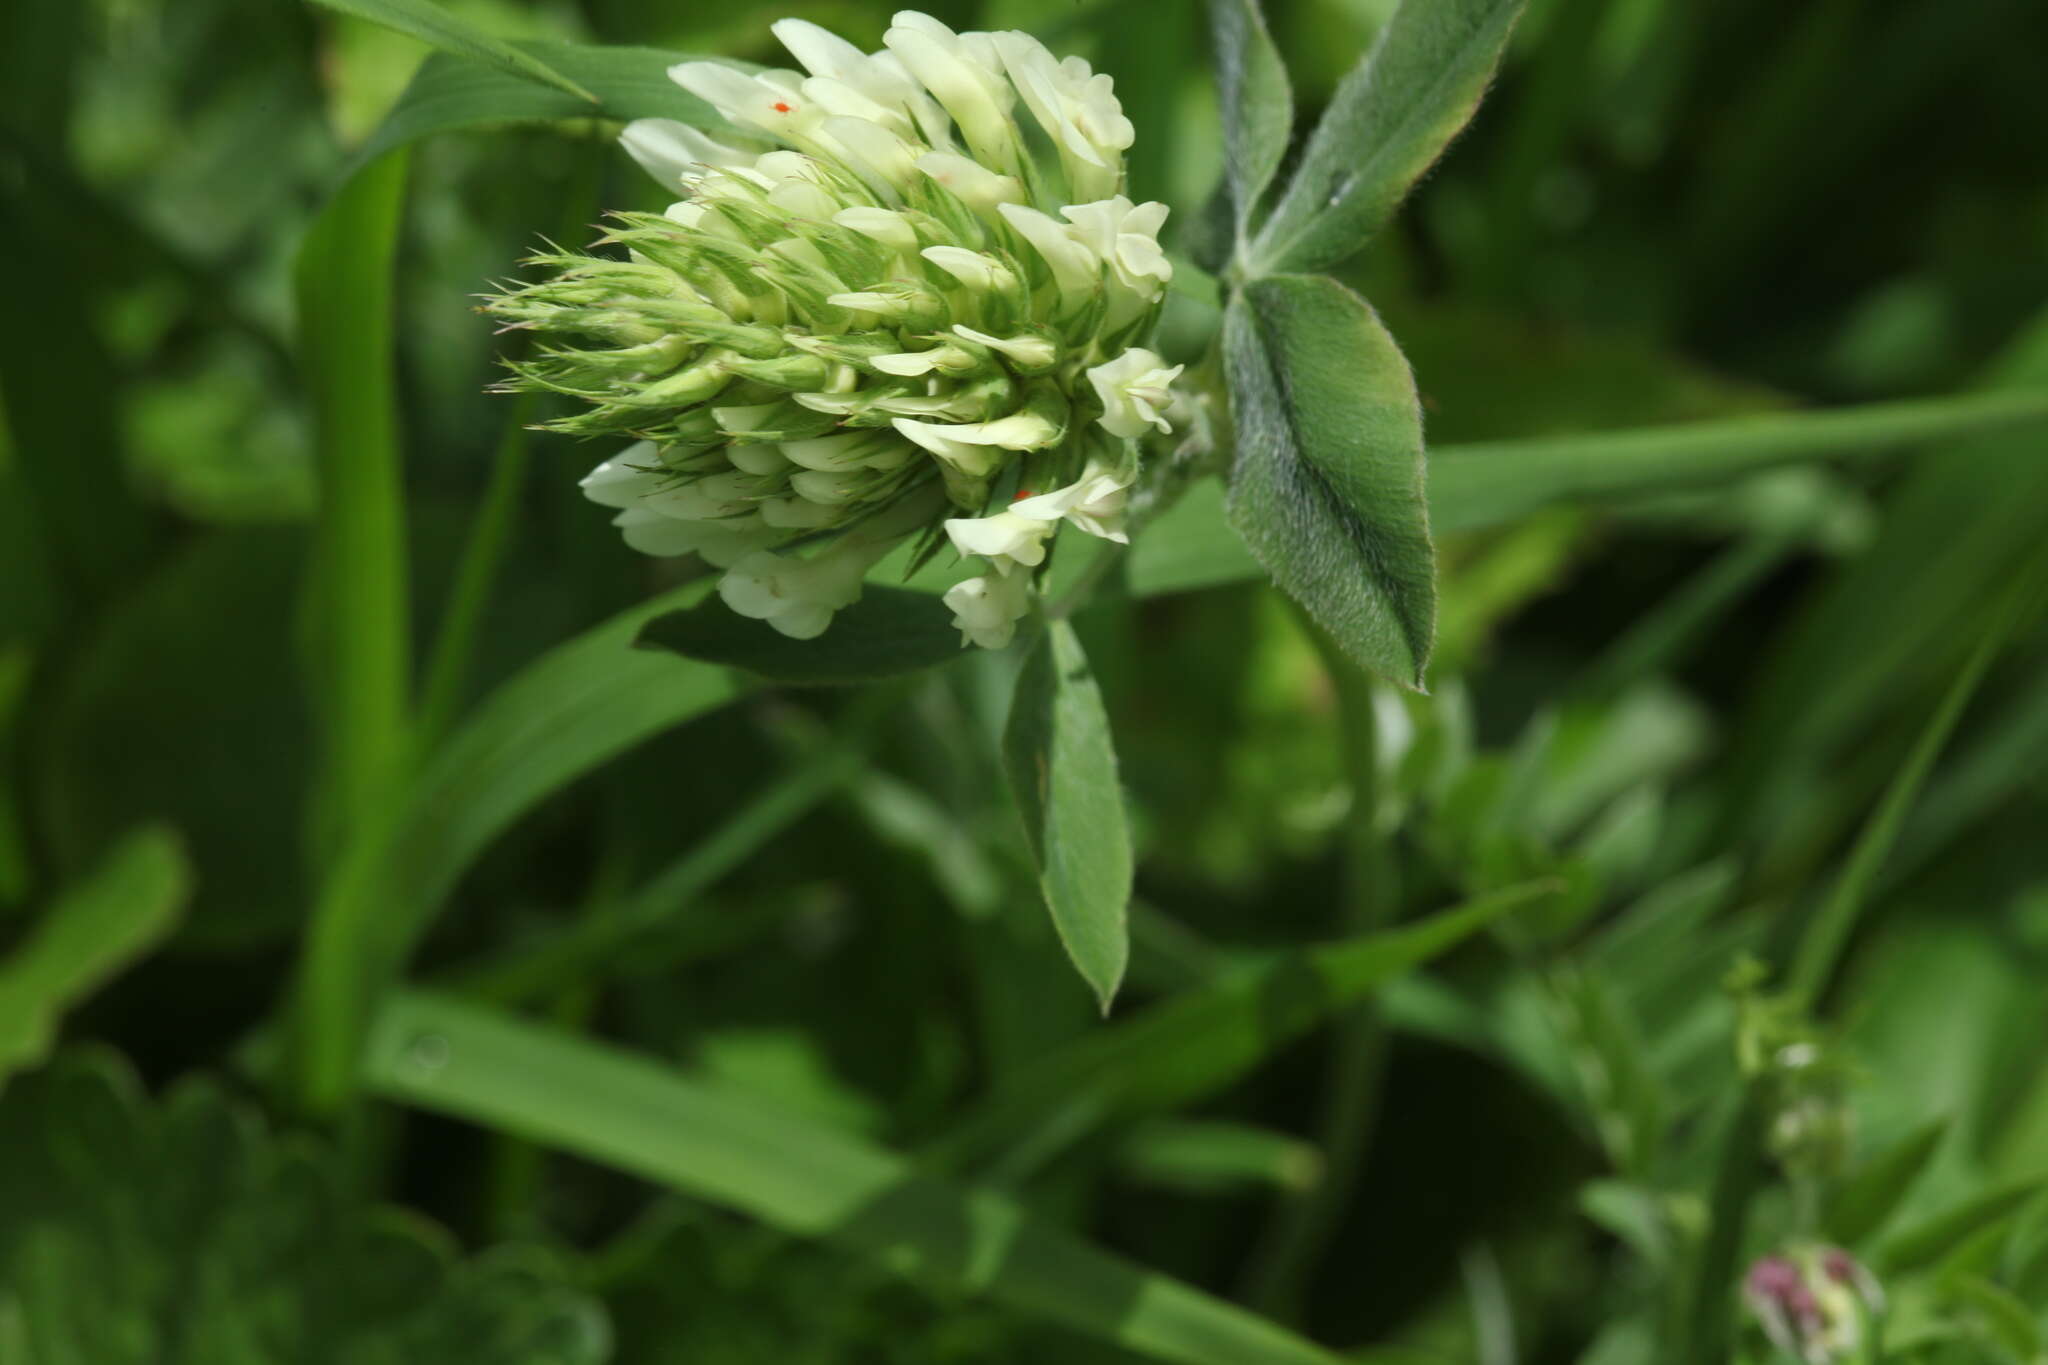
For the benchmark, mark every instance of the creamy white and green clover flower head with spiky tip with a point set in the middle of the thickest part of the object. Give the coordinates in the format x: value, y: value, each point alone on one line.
x: 871, y: 314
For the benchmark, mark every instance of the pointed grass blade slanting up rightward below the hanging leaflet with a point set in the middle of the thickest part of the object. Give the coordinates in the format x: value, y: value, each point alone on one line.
x: 1199, y: 1043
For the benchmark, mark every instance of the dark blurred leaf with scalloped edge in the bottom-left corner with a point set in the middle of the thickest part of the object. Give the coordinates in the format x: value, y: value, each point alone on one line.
x: 181, y: 1231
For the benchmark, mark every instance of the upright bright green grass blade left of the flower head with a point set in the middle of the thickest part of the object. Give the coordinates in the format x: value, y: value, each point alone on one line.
x: 357, y: 584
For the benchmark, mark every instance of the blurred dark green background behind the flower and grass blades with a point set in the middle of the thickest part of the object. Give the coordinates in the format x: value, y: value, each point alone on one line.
x: 1666, y: 212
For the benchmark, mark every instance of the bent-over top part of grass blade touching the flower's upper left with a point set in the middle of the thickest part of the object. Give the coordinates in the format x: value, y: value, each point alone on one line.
x: 447, y: 95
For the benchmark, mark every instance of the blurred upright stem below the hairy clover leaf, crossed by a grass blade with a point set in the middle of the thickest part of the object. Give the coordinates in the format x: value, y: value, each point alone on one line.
x: 1306, y: 1221
